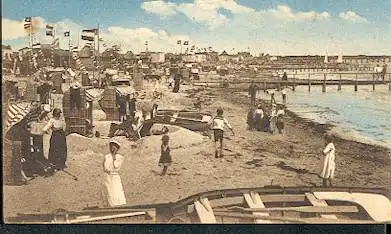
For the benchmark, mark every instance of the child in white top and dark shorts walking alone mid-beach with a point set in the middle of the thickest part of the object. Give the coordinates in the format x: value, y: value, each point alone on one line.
x: 217, y: 124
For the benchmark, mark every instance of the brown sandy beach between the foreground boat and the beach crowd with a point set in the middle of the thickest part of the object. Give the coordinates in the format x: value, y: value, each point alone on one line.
x: 252, y: 159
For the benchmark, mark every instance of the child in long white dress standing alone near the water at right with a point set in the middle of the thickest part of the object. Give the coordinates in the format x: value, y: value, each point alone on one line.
x: 328, y: 168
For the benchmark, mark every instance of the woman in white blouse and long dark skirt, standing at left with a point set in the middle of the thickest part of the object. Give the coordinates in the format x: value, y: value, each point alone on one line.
x: 58, y: 143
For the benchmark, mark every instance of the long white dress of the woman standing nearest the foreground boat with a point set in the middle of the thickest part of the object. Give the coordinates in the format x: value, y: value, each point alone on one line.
x: 113, y: 191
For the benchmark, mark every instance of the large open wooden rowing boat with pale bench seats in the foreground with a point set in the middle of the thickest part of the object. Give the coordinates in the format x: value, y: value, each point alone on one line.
x: 263, y: 205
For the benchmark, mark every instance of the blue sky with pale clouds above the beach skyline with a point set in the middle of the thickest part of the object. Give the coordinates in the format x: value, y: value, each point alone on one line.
x: 277, y: 27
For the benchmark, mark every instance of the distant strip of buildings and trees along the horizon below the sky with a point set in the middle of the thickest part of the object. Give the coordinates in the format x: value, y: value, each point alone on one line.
x: 111, y: 57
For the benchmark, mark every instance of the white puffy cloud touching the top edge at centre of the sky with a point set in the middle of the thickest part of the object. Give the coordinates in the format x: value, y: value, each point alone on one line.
x: 205, y: 11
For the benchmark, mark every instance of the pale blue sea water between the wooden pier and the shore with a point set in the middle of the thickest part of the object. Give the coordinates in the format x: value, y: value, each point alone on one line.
x: 363, y: 116
